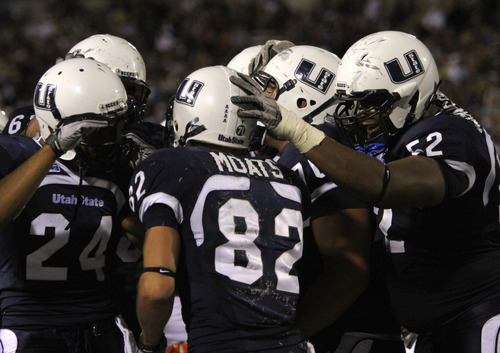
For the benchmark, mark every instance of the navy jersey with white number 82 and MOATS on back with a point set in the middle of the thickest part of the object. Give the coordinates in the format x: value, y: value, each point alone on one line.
x: 240, y: 221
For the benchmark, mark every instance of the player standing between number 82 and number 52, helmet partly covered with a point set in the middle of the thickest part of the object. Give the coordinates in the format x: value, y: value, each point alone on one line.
x: 301, y: 80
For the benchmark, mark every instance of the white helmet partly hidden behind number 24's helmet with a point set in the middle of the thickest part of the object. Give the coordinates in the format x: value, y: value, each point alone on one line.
x: 124, y: 59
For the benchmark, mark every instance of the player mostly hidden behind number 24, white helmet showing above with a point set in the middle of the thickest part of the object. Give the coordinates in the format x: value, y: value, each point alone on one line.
x: 126, y: 61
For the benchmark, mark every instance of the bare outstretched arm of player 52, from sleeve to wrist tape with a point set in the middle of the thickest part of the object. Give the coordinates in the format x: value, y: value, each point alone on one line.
x: 414, y: 181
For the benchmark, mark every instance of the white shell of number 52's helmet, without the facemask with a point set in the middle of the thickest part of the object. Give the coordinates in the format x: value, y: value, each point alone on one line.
x: 391, y: 61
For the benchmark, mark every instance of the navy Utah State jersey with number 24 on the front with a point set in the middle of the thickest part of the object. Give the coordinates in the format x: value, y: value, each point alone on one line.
x: 53, y: 259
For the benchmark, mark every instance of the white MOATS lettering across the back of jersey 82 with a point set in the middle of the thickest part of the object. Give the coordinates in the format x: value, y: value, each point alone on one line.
x: 247, y: 166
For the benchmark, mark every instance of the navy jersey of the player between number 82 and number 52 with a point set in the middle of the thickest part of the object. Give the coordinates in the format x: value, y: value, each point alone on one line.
x: 371, y: 313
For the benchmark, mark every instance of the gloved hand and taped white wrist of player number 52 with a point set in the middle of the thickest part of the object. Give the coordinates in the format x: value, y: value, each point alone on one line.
x: 282, y: 124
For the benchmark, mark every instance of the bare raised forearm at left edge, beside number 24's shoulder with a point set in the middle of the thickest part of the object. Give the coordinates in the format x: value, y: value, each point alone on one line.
x: 18, y: 187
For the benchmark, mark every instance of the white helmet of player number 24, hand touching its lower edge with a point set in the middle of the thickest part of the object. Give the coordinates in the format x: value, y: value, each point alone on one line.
x: 77, y: 87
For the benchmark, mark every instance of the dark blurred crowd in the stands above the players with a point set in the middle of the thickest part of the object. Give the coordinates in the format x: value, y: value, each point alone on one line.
x: 176, y: 37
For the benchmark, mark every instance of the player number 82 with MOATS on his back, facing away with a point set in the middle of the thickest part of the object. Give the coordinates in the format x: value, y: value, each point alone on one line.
x: 224, y: 229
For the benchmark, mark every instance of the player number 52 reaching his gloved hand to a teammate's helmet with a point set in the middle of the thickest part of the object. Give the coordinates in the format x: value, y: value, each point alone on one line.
x: 436, y: 195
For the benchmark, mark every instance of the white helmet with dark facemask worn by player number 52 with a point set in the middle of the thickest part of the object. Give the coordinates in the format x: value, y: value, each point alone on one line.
x: 385, y: 72
